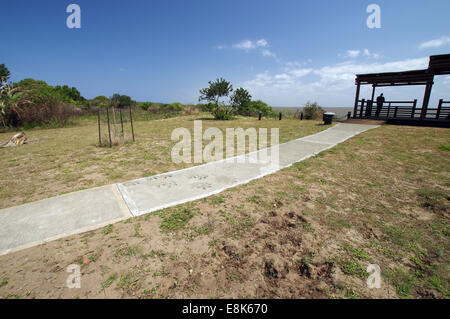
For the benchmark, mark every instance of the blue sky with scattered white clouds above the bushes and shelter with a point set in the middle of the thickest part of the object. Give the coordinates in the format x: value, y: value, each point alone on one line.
x: 283, y: 52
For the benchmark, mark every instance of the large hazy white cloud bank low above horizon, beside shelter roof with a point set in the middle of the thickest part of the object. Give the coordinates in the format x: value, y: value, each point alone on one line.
x: 330, y: 84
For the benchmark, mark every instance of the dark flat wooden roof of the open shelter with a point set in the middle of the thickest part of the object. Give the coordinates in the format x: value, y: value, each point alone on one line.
x: 439, y: 64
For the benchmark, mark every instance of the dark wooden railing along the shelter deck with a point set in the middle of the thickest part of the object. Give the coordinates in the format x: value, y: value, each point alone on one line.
x: 401, y: 110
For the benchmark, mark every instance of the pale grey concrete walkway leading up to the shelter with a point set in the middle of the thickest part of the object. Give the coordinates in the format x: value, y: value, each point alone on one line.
x: 38, y: 222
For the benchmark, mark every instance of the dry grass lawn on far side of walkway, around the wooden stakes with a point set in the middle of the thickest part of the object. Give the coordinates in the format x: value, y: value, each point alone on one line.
x: 63, y: 160
